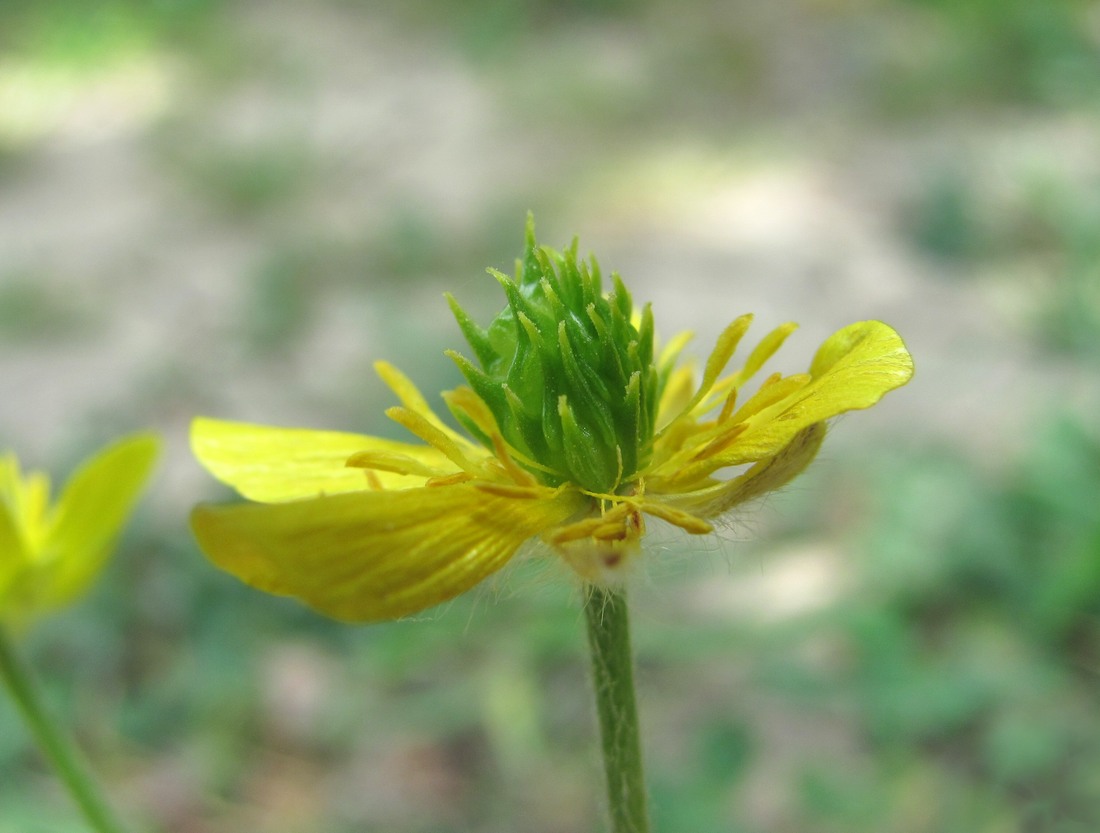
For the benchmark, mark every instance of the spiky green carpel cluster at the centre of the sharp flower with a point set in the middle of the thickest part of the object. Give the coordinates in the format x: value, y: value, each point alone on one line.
x: 567, y: 375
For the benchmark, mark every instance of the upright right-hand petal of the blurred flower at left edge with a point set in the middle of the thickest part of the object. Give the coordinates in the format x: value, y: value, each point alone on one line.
x: 90, y: 517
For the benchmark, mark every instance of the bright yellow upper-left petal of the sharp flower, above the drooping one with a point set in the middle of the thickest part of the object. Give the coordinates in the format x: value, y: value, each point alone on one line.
x: 271, y: 465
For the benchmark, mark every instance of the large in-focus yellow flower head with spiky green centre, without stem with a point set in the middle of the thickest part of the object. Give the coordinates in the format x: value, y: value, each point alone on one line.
x: 575, y: 433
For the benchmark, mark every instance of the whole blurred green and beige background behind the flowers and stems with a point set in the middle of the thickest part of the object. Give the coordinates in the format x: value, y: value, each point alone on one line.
x: 235, y: 209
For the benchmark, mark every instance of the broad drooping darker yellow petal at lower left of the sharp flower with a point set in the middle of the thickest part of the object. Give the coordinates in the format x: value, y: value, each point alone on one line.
x: 373, y: 556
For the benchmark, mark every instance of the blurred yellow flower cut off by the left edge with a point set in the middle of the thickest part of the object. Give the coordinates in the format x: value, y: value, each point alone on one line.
x: 51, y: 554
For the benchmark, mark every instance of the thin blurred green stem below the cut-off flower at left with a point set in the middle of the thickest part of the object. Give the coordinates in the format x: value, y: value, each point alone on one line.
x: 53, y: 743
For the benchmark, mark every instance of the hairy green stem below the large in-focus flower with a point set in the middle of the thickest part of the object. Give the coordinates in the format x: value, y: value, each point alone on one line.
x: 613, y: 681
